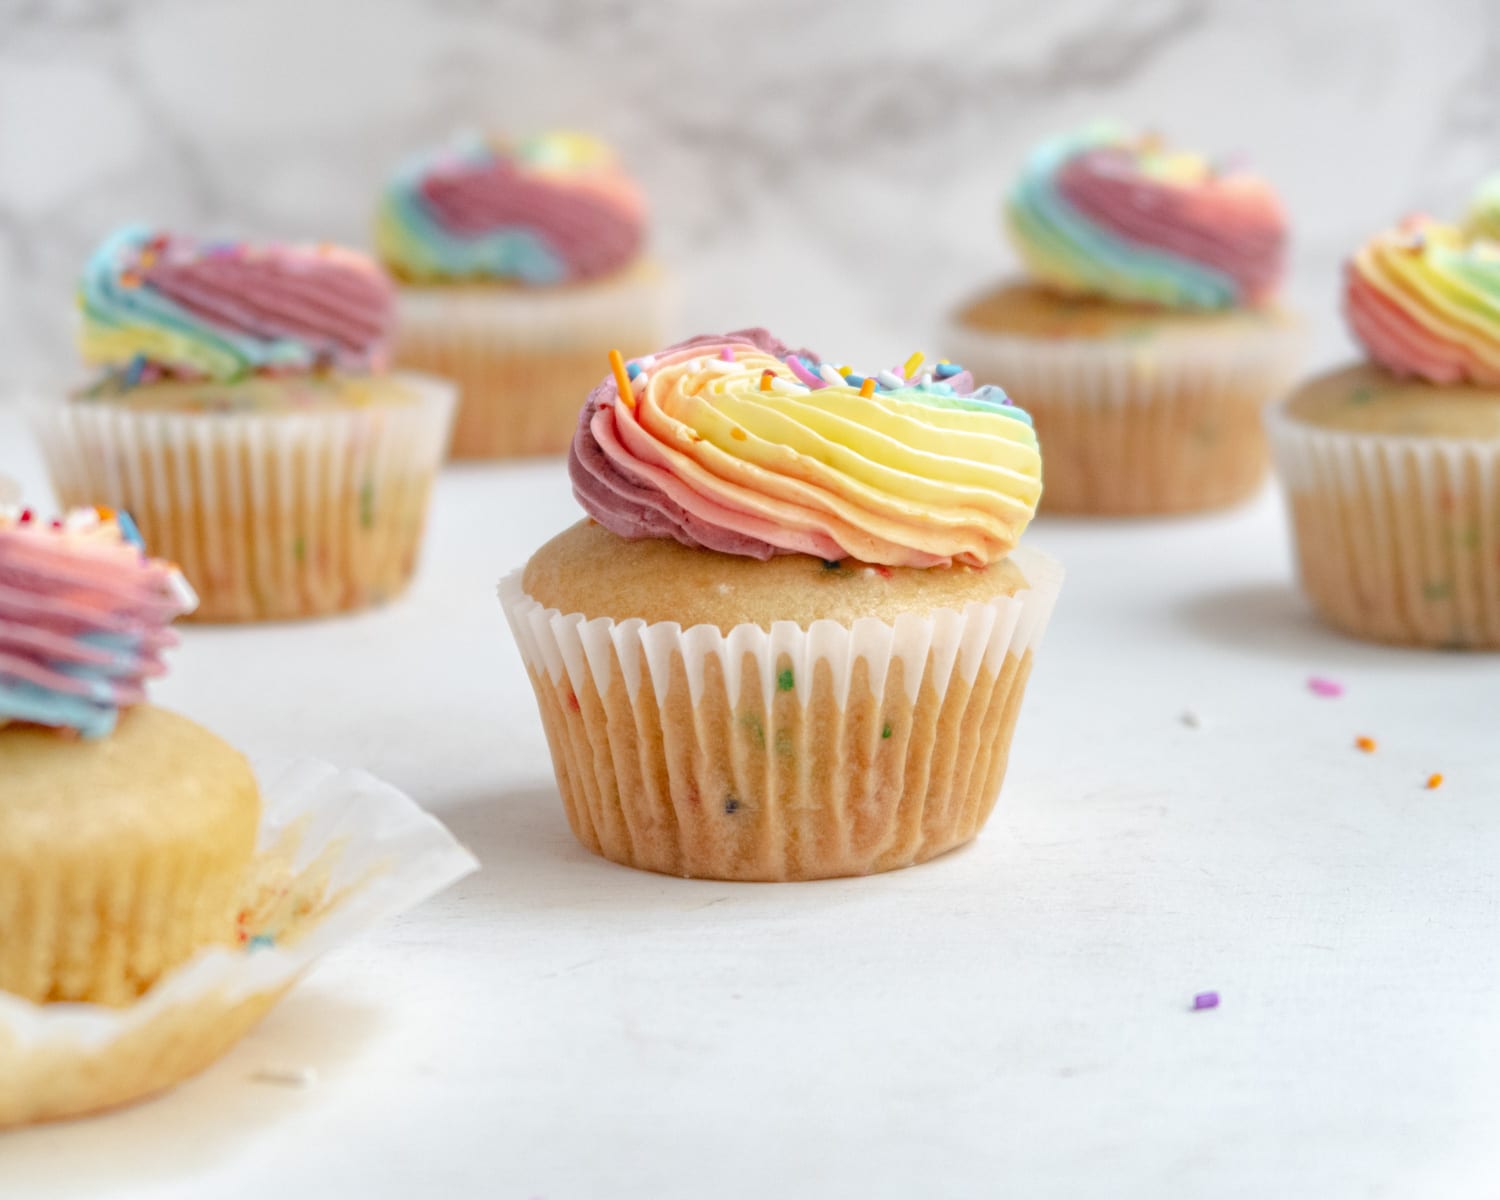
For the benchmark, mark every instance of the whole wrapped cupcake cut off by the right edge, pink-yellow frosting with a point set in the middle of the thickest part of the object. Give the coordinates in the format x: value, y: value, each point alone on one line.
x: 1393, y: 466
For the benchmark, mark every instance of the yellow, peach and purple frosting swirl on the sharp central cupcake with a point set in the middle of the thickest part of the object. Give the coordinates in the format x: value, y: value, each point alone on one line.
x: 737, y: 445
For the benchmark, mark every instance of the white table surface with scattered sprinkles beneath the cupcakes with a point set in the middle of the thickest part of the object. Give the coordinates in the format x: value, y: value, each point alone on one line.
x: 1010, y: 1021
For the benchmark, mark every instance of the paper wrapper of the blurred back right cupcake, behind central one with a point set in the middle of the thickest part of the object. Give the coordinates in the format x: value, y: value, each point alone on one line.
x: 1153, y: 427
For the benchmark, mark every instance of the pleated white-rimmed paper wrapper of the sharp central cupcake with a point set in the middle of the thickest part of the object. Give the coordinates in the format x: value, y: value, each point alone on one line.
x: 784, y: 754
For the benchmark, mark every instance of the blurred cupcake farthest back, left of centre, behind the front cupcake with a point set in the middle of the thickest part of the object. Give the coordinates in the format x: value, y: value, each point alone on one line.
x: 521, y: 266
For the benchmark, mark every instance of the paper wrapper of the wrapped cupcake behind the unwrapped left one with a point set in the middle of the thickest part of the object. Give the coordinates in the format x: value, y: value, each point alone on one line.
x: 271, y: 515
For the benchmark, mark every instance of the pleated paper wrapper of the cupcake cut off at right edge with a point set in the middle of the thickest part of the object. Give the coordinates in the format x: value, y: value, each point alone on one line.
x: 1397, y: 538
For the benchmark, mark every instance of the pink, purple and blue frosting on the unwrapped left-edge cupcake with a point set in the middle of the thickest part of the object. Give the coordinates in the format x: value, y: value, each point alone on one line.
x: 83, y: 619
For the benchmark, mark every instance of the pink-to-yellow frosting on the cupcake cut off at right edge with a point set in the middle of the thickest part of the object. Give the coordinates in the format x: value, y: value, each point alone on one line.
x: 1426, y: 301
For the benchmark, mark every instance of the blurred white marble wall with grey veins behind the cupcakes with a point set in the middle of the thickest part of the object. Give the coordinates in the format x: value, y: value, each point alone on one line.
x: 832, y: 170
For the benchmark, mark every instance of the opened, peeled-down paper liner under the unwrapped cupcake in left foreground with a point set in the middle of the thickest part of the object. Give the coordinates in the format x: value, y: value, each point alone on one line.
x: 340, y: 851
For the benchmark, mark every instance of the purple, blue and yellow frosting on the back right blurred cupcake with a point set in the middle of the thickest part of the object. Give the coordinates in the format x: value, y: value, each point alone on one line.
x: 1106, y: 214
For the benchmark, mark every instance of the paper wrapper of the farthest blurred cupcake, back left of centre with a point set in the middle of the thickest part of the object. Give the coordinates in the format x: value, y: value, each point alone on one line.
x: 524, y: 359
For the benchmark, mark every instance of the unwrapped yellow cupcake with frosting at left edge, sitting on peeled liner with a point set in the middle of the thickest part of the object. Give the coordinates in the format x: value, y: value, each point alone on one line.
x: 125, y: 830
